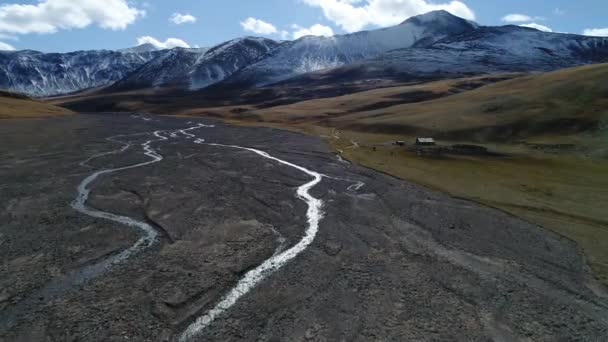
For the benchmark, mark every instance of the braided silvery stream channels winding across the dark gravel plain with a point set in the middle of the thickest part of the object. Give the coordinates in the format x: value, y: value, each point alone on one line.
x: 252, y: 278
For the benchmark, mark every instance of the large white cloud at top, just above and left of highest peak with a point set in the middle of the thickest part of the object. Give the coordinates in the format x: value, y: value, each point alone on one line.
x: 354, y: 15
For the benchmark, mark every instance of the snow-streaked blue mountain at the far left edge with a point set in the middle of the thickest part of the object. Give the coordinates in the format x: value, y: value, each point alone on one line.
x: 46, y: 74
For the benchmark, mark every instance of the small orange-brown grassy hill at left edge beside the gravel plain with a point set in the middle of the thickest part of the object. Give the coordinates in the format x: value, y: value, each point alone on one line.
x: 16, y: 106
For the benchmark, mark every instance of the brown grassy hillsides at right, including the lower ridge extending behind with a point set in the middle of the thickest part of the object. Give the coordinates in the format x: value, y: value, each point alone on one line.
x: 564, y: 102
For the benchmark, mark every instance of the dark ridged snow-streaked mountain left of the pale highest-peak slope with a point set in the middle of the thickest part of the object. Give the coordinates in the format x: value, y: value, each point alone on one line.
x: 198, y: 68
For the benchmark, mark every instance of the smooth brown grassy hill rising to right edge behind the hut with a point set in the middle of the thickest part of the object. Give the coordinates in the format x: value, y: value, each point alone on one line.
x: 564, y: 102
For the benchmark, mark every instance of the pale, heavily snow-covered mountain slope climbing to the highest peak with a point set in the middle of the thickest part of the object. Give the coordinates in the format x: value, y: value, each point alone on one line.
x: 309, y: 54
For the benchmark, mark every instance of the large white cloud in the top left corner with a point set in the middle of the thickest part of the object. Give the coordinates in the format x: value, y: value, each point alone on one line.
x: 49, y: 16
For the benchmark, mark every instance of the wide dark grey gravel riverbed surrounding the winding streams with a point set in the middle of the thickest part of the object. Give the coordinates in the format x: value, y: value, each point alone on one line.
x: 391, y: 260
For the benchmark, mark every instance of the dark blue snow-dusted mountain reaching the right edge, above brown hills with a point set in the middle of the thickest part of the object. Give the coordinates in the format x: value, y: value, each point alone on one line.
x: 484, y: 50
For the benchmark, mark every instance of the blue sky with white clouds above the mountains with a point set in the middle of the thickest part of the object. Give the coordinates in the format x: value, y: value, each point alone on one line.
x: 71, y: 25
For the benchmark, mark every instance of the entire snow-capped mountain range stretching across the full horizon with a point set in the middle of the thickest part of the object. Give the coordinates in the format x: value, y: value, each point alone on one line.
x: 433, y: 44
